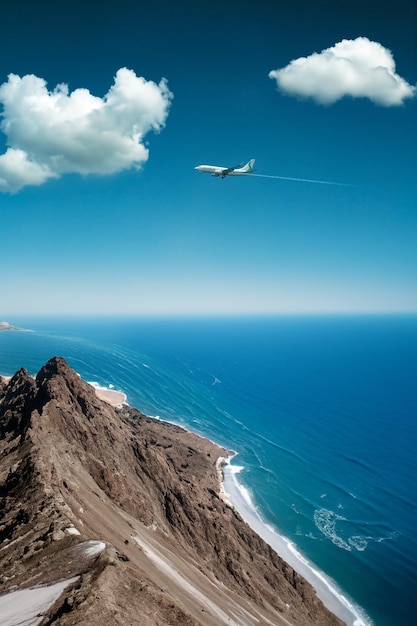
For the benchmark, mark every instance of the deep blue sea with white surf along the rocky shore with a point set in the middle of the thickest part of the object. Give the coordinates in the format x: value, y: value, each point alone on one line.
x: 319, y: 414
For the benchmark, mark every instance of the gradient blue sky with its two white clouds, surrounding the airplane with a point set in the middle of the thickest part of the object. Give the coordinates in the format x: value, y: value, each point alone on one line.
x: 102, y: 211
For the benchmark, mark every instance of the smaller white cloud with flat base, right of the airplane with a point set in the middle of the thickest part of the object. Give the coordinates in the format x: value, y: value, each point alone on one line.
x: 359, y: 68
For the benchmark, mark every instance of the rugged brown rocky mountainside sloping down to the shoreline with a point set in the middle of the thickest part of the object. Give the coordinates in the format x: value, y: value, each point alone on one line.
x: 128, y: 509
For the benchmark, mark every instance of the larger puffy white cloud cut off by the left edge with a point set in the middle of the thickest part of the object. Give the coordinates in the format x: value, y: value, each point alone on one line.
x: 50, y: 133
